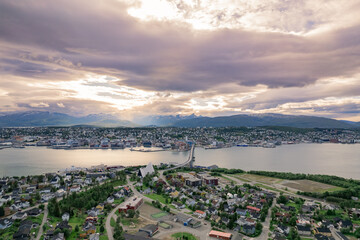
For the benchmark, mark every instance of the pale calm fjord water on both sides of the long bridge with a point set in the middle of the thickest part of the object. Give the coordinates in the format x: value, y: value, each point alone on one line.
x: 334, y: 159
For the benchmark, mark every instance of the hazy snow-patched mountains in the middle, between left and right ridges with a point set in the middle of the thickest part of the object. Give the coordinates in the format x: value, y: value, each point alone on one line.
x: 162, y: 120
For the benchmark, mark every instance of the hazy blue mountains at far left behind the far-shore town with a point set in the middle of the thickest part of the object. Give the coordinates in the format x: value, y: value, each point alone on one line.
x: 40, y: 118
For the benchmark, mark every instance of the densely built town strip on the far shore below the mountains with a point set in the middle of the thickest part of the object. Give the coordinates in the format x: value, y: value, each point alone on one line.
x: 174, y: 139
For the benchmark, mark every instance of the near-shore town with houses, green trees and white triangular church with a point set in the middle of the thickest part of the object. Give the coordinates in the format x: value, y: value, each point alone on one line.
x: 173, y: 202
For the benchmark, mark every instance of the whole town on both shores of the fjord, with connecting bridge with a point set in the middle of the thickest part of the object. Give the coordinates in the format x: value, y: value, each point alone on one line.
x: 182, y: 201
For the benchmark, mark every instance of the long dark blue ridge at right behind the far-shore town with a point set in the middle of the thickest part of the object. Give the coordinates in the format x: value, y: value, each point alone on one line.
x: 257, y: 120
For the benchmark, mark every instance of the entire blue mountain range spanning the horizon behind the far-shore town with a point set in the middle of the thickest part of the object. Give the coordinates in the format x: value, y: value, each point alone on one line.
x: 40, y: 118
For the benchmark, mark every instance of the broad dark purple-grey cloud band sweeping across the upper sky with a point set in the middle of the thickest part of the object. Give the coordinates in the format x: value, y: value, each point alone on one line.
x: 100, y: 37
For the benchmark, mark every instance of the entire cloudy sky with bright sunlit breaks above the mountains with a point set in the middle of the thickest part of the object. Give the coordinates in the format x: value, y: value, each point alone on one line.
x: 134, y: 58
